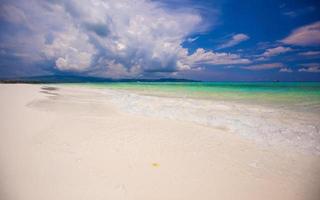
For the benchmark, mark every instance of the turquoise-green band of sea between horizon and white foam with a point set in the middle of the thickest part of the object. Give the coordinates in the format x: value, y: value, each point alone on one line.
x: 303, y: 95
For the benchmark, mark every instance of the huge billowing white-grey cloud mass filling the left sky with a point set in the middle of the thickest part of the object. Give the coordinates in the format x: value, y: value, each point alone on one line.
x: 107, y: 38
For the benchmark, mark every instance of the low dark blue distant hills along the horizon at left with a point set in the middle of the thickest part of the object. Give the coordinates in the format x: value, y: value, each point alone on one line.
x: 83, y: 79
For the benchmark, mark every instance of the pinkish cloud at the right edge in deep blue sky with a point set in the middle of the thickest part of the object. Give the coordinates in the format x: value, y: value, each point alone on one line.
x: 308, y: 35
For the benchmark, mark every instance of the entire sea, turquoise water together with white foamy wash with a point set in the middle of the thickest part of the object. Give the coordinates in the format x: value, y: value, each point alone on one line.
x: 269, y: 113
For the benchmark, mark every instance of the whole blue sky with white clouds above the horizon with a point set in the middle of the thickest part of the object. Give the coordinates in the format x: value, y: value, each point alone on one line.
x: 210, y: 40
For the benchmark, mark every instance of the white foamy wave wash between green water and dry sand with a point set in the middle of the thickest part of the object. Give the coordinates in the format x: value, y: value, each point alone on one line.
x: 266, y: 125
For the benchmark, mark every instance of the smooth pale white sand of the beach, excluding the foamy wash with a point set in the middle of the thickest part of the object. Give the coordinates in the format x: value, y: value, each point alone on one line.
x: 75, y: 144
